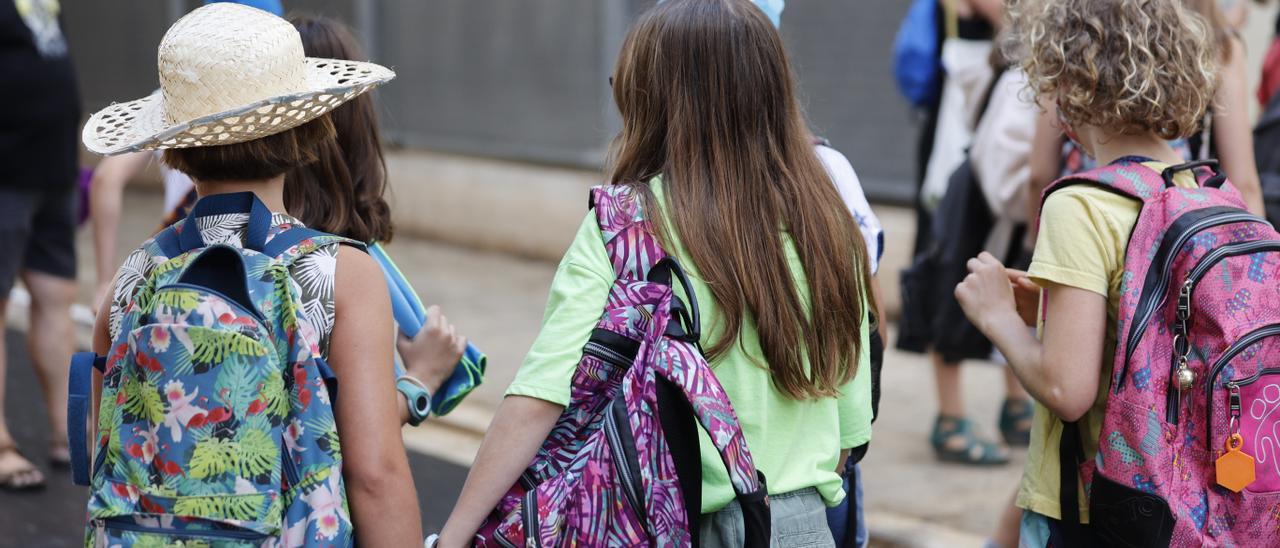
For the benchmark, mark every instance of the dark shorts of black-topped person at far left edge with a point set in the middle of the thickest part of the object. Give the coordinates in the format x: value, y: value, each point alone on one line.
x: 38, y: 232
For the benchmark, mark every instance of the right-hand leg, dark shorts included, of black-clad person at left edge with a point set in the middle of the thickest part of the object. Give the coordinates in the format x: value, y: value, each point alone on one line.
x: 49, y: 275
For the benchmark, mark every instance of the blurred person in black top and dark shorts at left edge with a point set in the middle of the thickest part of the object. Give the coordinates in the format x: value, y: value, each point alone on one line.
x: 39, y: 148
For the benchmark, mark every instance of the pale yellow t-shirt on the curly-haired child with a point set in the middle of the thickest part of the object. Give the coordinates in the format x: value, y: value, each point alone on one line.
x: 1085, y: 232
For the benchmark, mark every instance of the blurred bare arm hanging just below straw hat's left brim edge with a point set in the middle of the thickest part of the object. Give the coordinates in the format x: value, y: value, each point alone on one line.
x: 111, y: 176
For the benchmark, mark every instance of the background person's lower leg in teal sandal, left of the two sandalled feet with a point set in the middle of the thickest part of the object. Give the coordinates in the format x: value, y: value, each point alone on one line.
x: 954, y: 440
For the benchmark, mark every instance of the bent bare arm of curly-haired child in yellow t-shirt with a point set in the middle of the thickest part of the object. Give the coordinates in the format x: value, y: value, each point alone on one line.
x: 1063, y: 372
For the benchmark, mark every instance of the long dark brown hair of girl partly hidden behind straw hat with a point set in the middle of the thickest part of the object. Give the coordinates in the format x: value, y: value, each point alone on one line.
x: 344, y: 193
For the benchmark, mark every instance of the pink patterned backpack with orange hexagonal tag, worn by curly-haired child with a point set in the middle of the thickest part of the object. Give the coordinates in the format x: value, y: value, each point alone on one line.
x: 1190, y: 451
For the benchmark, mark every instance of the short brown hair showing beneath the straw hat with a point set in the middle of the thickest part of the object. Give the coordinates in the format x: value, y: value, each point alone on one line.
x: 263, y: 158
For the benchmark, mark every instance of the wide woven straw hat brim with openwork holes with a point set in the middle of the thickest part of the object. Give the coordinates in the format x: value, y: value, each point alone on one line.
x: 140, y: 125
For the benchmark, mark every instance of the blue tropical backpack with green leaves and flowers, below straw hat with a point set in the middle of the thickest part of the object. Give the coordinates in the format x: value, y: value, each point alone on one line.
x: 216, y: 423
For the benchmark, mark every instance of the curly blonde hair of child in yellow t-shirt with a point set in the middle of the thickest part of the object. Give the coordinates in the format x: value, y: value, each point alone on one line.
x: 1122, y: 66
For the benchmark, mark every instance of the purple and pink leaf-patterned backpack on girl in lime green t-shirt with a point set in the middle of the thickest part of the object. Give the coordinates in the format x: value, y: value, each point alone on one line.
x: 623, y: 465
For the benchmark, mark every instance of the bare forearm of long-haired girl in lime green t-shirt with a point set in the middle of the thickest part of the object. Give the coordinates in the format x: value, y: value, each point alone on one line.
x: 518, y: 431
